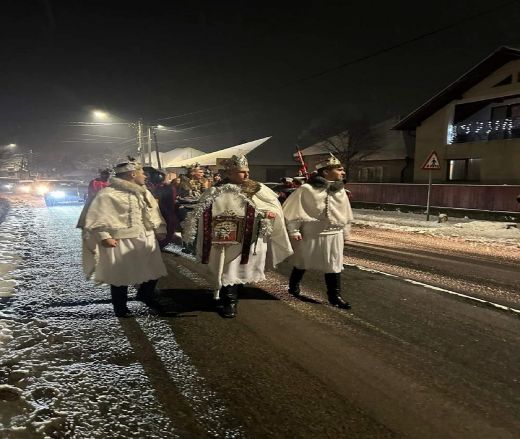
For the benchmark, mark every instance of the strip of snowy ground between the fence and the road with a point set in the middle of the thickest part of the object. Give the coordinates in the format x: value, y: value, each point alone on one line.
x: 471, y: 230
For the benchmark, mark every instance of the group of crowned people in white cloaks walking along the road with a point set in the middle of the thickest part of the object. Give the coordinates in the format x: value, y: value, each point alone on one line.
x: 236, y: 227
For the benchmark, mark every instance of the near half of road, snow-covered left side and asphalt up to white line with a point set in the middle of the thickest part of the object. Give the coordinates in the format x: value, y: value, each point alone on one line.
x: 406, y: 362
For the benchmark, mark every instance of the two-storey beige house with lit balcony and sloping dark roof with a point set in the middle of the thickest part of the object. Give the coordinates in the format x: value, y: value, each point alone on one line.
x: 473, y: 125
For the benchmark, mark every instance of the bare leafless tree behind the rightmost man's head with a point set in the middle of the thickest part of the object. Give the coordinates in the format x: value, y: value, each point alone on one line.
x: 350, y: 139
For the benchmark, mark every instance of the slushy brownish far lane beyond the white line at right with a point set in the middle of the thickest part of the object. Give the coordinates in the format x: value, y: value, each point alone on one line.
x: 484, y: 270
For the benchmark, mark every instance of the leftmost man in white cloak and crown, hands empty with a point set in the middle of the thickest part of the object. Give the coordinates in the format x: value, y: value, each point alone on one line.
x: 120, y: 230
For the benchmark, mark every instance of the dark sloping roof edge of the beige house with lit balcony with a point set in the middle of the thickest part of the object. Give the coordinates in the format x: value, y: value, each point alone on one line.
x: 497, y: 59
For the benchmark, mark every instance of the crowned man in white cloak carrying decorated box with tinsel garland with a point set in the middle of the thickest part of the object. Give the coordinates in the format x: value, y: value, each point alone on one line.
x: 238, y: 226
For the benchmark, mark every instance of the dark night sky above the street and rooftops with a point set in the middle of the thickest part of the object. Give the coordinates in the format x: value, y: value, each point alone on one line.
x: 229, y: 71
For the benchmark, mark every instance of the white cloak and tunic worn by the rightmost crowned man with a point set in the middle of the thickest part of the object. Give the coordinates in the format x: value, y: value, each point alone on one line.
x: 320, y: 212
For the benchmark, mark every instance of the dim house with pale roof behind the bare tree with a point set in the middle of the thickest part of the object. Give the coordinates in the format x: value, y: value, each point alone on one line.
x: 388, y: 159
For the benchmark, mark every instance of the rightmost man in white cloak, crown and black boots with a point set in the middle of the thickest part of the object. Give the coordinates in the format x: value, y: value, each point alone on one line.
x: 318, y: 217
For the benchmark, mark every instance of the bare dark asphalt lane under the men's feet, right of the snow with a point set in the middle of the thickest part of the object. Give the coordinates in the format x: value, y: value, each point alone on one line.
x: 404, y: 362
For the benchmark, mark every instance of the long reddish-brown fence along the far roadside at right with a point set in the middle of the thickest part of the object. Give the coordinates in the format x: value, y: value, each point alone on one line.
x: 496, y: 198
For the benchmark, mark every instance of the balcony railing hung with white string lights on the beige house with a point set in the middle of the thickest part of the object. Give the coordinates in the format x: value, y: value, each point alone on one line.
x: 483, y: 131
